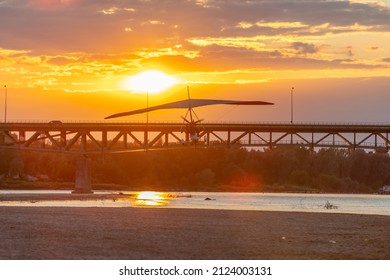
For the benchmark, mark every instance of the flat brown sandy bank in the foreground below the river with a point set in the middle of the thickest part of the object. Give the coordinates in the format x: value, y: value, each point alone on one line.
x: 162, y: 233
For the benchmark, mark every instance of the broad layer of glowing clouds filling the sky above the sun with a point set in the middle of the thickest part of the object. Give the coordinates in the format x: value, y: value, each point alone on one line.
x: 104, y: 38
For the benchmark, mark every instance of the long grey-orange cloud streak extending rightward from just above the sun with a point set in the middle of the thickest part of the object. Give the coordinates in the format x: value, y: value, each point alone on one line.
x: 215, y: 58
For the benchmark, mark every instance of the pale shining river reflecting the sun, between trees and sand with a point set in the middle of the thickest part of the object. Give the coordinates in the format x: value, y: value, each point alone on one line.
x: 337, y: 203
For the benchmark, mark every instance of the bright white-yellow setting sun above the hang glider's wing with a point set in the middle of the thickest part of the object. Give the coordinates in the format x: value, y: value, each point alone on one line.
x: 151, y: 81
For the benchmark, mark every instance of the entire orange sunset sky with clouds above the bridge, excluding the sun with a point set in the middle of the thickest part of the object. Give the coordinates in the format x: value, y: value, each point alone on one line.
x: 67, y: 59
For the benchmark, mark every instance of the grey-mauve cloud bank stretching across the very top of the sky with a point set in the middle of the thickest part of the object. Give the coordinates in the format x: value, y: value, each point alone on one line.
x: 83, y: 25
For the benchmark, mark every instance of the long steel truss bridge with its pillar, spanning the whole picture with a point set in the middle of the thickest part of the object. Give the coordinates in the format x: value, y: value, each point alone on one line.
x: 114, y: 137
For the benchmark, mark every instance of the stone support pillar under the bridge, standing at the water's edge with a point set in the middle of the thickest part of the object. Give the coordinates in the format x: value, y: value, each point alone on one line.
x: 83, y: 175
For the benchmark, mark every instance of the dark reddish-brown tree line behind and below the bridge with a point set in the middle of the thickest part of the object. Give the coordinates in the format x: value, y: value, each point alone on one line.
x: 284, y: 169
